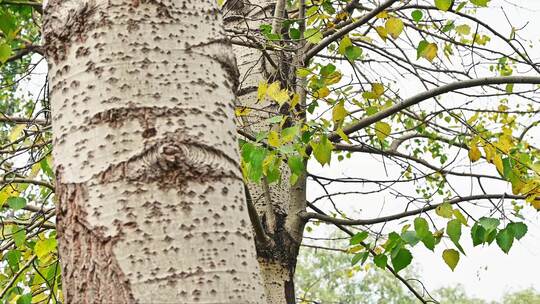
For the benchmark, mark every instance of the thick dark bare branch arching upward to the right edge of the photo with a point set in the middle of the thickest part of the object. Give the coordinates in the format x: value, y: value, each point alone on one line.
x: 430, y: 94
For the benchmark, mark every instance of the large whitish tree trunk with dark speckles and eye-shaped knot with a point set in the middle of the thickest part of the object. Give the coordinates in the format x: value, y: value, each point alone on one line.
x: 151, y: 202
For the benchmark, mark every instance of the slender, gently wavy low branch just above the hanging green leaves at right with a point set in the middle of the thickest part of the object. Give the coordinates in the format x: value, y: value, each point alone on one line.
x: 384, y: 219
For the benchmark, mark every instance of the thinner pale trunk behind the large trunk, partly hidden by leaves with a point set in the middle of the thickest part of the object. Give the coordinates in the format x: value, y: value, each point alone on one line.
x: 276, y: 204
